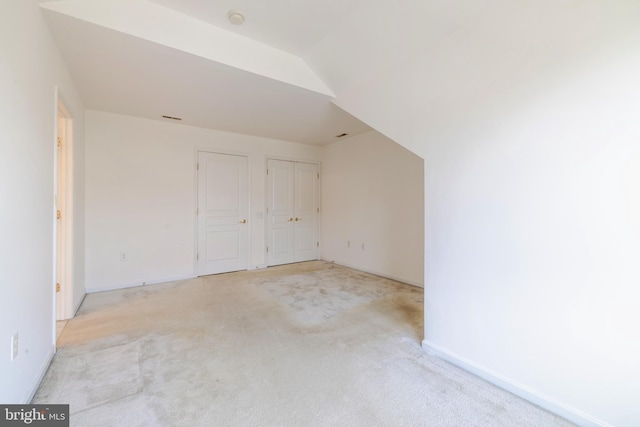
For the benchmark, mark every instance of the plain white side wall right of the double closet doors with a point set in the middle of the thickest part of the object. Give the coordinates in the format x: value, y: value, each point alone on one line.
x: 373, y: 195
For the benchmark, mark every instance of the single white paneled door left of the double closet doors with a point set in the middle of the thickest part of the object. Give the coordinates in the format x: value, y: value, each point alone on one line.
x: 223, y: 203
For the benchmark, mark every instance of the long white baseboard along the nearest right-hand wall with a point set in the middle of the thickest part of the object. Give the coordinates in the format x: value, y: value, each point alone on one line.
x: 552, y: 405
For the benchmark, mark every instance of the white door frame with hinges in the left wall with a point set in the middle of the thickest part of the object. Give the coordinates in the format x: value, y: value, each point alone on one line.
x: 63, y: 262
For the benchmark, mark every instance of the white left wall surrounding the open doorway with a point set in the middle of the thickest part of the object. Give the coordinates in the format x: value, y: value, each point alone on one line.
x: 30, y: 69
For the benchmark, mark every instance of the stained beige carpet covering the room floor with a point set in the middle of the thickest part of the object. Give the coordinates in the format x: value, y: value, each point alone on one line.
x: 311, y: 344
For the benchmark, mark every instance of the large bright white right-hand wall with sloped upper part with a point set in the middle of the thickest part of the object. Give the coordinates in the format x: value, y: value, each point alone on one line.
x: 526, y: 114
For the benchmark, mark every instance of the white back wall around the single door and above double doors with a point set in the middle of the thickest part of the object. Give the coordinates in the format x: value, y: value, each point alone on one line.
x: 141, y: 196
